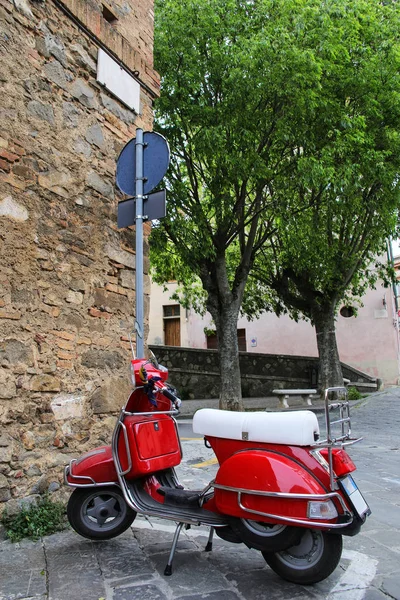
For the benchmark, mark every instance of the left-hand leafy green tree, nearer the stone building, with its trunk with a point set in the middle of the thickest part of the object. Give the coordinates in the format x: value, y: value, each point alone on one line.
x: 262, y: 103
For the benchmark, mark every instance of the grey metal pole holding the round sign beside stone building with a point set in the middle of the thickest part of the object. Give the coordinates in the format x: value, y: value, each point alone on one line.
x: 139, y: 325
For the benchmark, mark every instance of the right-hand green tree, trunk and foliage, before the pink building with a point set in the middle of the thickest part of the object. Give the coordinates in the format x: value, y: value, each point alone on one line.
x: 346, y: 172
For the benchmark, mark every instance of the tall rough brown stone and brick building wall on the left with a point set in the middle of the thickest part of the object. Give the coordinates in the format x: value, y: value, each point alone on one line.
x: 67, y: 280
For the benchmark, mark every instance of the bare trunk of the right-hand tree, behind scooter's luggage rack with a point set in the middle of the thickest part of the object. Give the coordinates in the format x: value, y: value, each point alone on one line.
x: 330, y: 369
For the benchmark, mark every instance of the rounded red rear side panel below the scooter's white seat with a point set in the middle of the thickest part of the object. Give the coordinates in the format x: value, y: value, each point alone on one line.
x: 245, y: 479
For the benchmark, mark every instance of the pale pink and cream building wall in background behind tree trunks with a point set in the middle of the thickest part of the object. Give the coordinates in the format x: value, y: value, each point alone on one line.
x: 368, y: 342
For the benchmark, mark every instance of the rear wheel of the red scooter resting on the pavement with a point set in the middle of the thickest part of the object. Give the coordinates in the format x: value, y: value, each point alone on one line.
x: 313, y: 559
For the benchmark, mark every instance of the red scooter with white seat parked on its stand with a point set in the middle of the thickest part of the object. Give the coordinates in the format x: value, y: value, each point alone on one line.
x: 279, y: 488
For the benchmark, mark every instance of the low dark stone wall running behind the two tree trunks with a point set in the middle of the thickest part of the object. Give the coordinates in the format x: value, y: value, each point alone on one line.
x: 195, y: 372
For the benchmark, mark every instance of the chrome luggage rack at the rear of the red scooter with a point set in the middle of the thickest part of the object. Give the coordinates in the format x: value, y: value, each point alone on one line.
x: 338, y: 432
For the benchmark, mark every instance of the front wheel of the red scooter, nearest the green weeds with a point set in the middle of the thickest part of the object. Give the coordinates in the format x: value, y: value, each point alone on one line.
x: 99, y: 513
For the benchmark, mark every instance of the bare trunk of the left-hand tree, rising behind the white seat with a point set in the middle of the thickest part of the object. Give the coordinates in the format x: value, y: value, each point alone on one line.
x: 230, y: 397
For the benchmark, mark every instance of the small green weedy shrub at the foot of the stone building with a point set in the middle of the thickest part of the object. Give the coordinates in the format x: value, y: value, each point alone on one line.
x: 35, y: 521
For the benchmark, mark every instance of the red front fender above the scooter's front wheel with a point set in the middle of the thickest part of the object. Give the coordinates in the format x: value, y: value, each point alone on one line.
x: 92, y: 468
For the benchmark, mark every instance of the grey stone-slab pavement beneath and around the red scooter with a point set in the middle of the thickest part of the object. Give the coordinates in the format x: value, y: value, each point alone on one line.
x: 65, y: 566
